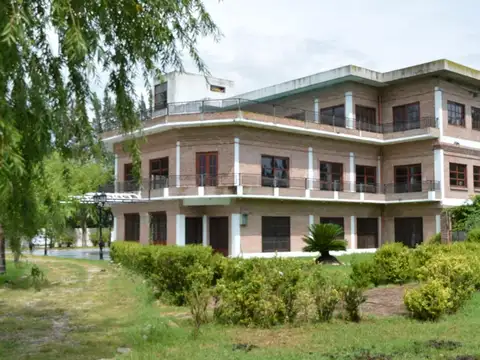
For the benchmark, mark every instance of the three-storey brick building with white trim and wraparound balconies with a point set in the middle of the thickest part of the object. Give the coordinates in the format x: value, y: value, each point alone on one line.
x: 381, y: 154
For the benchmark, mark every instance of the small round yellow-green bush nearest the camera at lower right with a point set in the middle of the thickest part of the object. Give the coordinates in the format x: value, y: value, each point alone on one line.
x: 430, y: 301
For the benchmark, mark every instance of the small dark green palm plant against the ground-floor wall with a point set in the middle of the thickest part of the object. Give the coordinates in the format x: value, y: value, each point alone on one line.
x: 324, y: 238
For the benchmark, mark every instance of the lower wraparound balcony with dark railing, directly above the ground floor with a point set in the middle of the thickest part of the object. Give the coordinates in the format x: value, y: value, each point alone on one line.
x: 254, y: 185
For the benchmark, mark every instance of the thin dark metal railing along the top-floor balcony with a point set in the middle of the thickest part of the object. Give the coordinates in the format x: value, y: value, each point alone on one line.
x: 302, y: 116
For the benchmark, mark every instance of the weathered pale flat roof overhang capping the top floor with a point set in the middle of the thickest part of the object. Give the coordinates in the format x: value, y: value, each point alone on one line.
x: 443, y: 67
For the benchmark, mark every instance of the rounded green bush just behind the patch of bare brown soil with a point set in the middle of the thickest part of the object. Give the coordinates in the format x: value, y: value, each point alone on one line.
x: 393, y: 264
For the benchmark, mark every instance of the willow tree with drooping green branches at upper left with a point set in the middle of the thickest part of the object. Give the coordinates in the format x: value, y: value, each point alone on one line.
x: 45, y: 84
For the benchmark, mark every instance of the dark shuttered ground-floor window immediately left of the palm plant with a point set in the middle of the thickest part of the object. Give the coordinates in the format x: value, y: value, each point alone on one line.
x: 275, y: 233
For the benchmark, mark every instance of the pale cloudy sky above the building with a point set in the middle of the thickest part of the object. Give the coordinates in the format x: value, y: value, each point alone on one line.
x: 266, y: 42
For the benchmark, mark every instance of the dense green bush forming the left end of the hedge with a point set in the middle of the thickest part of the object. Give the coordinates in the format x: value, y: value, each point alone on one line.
x: 168, y: 268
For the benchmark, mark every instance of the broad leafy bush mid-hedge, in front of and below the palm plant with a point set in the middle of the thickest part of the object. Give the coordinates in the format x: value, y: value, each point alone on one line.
x: 260, y: 292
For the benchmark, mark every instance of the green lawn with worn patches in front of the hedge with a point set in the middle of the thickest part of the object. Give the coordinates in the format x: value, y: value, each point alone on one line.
x: 91, y: 308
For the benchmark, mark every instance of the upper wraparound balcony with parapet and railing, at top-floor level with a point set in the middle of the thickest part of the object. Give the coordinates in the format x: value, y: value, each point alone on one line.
x: 264, y: 114
